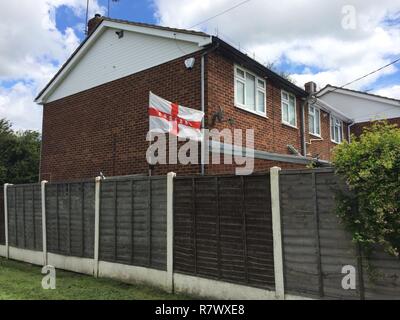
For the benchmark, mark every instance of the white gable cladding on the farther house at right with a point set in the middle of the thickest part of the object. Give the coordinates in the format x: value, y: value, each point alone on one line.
x: 361, y: 109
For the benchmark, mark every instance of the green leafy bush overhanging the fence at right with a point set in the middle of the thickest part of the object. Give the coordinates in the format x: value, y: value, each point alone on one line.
x: 370, y: 166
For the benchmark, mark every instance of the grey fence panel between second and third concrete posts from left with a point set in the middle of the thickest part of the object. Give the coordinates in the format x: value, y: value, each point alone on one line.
x: 70, y: 218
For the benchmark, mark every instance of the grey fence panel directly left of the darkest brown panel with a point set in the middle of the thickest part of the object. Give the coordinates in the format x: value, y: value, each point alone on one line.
x: 133, y: 221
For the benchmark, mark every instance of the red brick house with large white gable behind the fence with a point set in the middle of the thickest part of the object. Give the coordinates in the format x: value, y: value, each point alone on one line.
x: 95, y: 108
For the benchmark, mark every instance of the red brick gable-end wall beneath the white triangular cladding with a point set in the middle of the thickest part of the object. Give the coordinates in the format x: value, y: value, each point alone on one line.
x: 104, y: 128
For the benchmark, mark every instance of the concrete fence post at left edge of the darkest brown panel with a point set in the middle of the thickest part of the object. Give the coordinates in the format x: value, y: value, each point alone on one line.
x: 170, y: 230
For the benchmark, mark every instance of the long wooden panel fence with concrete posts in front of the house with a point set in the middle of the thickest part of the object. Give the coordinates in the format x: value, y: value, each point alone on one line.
x: 224, y: 232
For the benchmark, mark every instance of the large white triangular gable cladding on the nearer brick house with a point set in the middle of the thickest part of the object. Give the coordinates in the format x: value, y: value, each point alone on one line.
x: 111, y: 58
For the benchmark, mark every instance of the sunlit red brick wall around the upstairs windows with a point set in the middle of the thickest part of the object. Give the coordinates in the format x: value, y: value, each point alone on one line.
x: 270, y: 134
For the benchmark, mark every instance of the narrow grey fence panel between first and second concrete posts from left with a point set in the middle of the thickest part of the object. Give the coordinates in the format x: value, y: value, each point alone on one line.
x: 25, y: 216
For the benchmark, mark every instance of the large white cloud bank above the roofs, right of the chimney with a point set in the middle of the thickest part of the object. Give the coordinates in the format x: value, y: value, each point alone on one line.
x: 304, y: 33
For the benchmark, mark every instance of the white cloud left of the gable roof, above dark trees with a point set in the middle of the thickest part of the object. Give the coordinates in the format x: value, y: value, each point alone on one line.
x: 31, y: 51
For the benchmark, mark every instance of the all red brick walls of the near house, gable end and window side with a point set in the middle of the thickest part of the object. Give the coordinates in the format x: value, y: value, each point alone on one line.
x: 104, y: 128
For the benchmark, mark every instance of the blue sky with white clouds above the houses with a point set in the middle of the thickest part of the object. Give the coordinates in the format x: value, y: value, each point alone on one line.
x: 328, y: 42
